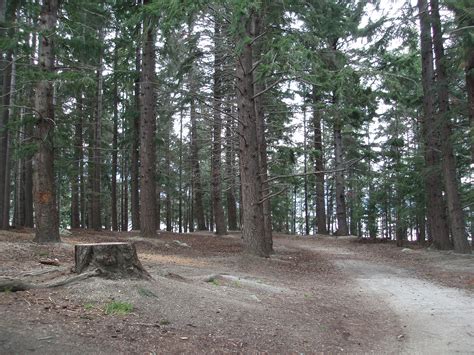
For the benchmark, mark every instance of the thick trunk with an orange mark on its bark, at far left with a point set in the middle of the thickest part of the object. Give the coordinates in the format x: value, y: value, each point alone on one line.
x: 47, y: 224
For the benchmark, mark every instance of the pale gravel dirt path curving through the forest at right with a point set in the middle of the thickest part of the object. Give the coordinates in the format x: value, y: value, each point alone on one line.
x: 436, y: 319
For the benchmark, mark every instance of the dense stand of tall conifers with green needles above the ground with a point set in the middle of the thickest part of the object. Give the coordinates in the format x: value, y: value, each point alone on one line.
x: 303, y: 117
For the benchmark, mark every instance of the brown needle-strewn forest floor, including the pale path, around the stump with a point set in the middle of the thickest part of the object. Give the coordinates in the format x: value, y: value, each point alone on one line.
x: 315, y: 294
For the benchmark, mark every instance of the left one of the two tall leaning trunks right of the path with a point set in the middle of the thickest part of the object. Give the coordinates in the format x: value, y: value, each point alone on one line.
x: 436, y: 212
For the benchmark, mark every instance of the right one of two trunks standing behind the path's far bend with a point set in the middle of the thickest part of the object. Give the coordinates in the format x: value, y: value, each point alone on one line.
x: 341, y: 213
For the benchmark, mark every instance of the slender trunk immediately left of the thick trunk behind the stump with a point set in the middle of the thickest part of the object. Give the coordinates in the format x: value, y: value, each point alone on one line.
x: 134, y: 183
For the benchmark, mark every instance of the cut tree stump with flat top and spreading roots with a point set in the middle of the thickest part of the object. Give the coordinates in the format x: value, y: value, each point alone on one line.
x: 110, y: 260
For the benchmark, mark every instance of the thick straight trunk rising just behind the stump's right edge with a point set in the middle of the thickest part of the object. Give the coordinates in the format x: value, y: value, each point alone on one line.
x: 147, y: 136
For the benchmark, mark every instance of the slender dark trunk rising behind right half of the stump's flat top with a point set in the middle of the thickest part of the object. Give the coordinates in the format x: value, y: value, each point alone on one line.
x: 115, y: 144
